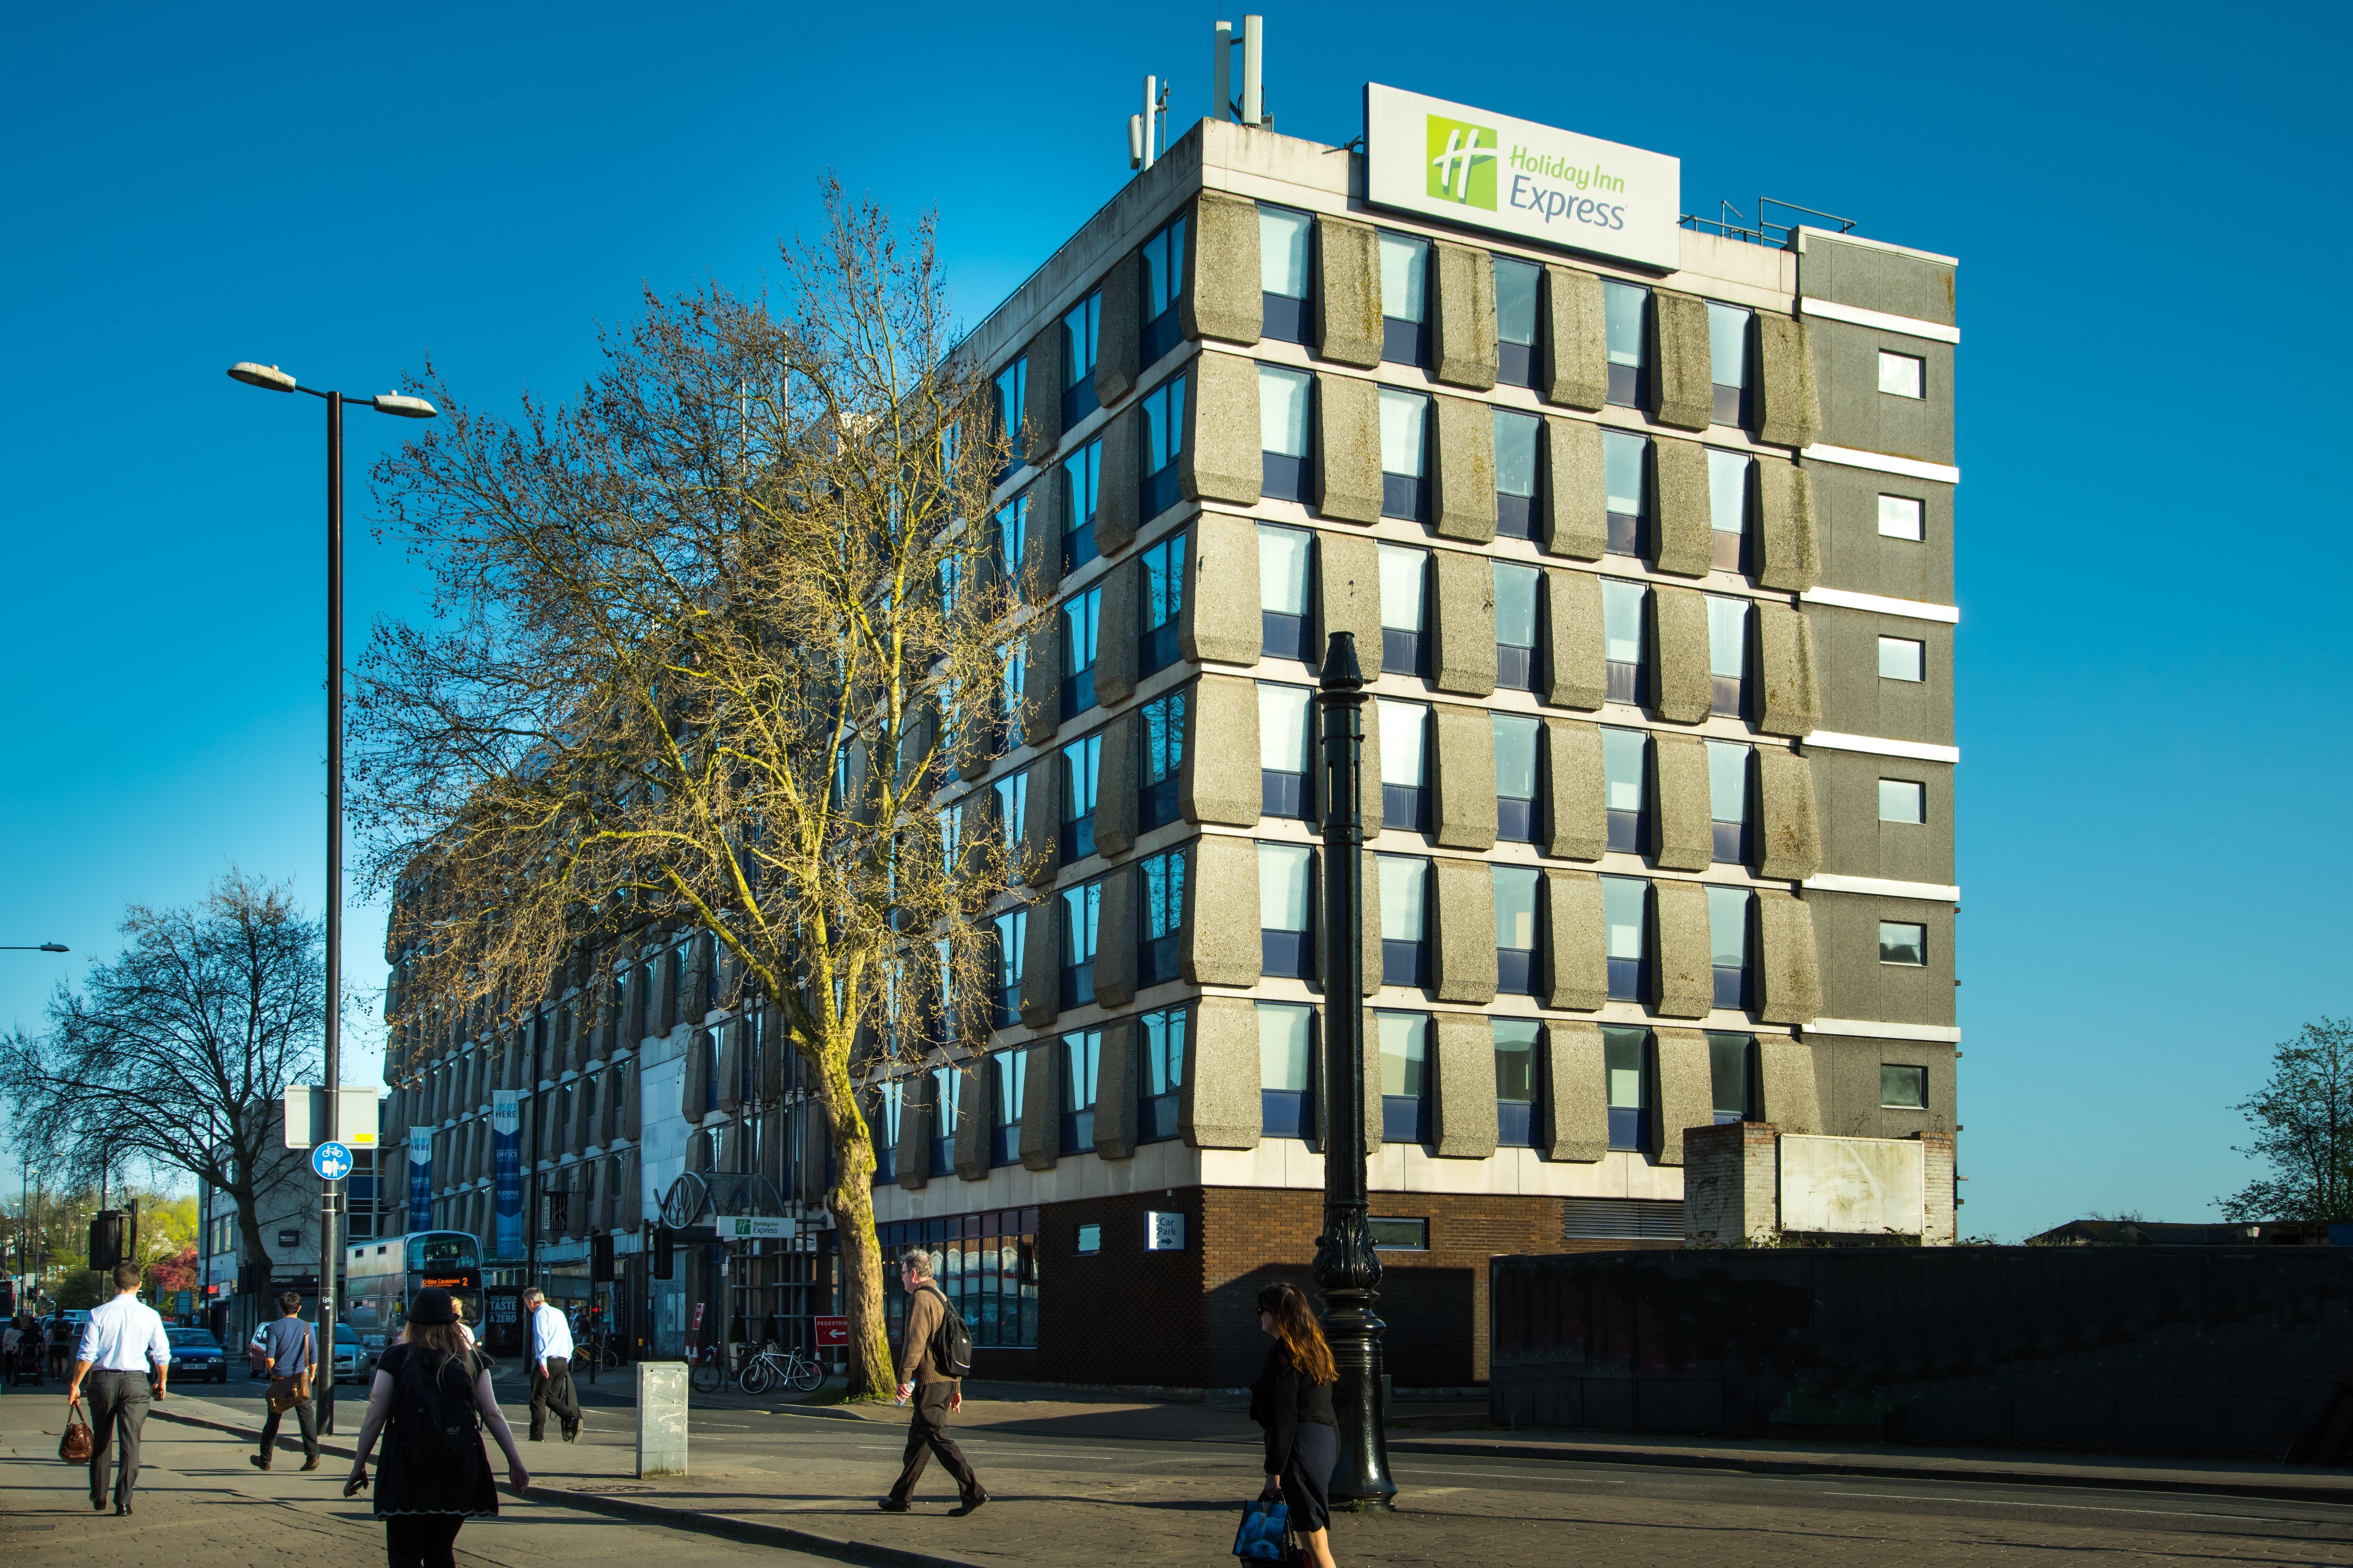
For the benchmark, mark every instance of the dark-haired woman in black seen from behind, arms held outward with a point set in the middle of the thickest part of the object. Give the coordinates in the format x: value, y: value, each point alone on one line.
x: 429, y: 1404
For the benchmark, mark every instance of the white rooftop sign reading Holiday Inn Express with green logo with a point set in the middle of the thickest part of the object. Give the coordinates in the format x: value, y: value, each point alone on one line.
x: 1535, y: 182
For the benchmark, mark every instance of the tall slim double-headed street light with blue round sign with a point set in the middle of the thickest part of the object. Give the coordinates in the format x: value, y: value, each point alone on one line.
x: 269, y: 378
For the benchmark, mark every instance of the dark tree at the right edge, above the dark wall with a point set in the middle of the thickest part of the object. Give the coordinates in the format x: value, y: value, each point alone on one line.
x: 2305, y: 1129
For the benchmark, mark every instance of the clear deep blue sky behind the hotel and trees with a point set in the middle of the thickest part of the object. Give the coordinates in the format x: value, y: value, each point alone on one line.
x: 2154, y: 644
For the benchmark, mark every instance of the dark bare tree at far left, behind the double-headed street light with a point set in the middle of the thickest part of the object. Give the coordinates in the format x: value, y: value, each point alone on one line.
x: 180, y: 1051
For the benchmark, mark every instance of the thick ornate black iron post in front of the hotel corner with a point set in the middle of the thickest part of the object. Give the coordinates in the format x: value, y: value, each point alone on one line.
x: 1347, y: 1268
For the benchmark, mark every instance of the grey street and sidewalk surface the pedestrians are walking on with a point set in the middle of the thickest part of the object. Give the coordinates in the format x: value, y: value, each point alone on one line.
x: 1081, y: 1477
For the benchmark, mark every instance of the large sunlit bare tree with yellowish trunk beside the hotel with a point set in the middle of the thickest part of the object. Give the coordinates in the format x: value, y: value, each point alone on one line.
x: 698, y: 656
